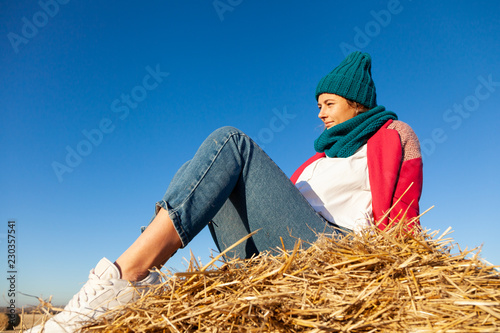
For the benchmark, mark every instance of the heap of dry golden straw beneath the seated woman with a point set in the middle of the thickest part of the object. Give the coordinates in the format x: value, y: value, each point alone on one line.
x: 374, y: 281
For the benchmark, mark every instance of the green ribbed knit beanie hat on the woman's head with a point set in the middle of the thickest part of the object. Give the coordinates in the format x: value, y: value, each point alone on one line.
x: 352, y: 79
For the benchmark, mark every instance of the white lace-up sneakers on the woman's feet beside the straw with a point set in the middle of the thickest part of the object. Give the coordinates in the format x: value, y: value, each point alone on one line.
x: 104, y: 290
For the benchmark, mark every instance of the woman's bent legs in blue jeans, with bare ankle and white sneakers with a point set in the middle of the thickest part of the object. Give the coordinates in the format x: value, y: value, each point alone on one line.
x: 230, y: 180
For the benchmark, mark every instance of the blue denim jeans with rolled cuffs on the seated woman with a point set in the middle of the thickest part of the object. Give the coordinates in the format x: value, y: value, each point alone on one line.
x: 235, y: 188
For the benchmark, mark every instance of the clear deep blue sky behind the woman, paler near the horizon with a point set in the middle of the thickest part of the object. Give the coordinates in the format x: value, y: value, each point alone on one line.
x: 101, y: 103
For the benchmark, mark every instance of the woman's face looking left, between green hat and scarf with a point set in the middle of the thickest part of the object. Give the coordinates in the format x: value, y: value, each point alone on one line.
x: 334, y: 109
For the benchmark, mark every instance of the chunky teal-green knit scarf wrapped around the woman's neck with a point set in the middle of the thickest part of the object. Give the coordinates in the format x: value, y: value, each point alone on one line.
x: 344, y: 139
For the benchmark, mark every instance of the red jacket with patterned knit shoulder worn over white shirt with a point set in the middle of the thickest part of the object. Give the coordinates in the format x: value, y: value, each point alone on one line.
x: 394, y: 163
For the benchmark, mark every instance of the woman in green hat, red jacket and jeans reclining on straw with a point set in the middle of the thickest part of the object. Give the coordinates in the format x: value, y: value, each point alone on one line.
x: 366, y: 160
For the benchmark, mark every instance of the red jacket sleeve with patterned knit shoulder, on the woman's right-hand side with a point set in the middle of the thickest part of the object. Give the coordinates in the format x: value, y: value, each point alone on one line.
x: 411, y: 174
